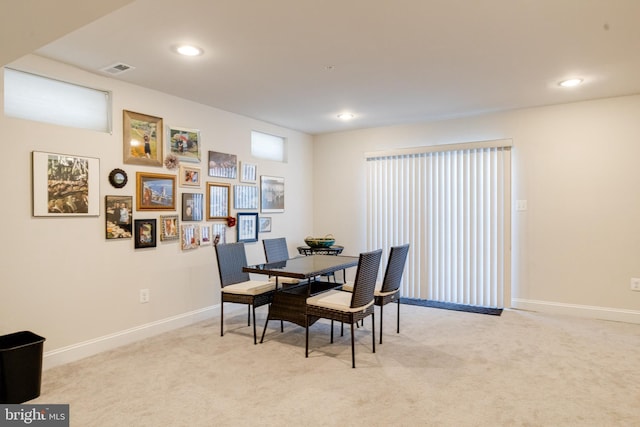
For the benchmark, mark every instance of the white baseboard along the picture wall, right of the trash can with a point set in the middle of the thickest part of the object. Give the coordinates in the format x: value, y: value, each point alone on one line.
x: 88, y: 348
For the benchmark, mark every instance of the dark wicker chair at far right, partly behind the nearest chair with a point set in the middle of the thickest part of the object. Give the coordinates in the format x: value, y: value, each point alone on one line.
x: 389, y: 289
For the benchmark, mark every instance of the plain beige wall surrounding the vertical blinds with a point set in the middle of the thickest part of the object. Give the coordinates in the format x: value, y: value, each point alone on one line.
x: 578, y: 244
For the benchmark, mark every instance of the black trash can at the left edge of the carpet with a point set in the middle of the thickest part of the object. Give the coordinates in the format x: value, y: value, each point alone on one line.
x: 20, y: 366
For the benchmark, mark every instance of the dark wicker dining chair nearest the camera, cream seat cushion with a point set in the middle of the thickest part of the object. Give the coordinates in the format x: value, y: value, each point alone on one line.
x: 348, y: 307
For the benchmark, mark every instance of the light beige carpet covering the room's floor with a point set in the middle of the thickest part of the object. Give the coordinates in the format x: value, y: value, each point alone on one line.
x: 445, y: 368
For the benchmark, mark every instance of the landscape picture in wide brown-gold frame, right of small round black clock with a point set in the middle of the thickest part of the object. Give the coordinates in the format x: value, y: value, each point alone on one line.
x: 155, y: 191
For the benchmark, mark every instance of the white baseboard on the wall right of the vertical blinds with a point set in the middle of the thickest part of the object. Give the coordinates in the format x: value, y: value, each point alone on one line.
x: 591, y: 312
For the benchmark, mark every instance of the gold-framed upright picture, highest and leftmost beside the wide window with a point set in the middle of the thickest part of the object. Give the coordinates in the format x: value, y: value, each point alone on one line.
x: 142, y: 139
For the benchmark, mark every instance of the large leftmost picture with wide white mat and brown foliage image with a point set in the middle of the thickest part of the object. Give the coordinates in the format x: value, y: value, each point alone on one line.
x: 65, y: 185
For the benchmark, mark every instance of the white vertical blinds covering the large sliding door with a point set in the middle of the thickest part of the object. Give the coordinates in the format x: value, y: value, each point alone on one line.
x: 452, y: 204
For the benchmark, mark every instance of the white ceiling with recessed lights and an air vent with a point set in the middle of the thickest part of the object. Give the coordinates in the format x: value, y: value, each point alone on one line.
x: 298, y: 63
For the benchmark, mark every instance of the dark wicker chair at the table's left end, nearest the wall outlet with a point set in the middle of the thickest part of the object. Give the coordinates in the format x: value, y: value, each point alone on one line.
x: 237, y: 286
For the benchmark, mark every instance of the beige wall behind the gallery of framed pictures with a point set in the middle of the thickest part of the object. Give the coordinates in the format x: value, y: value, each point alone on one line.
x: 61, y: 279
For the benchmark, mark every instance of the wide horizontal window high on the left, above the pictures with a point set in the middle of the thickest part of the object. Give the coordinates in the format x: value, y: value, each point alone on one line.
x: 32, y: 97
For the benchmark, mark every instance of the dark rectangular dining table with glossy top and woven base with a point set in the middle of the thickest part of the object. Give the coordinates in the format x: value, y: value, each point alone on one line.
x: 290, y: 301
